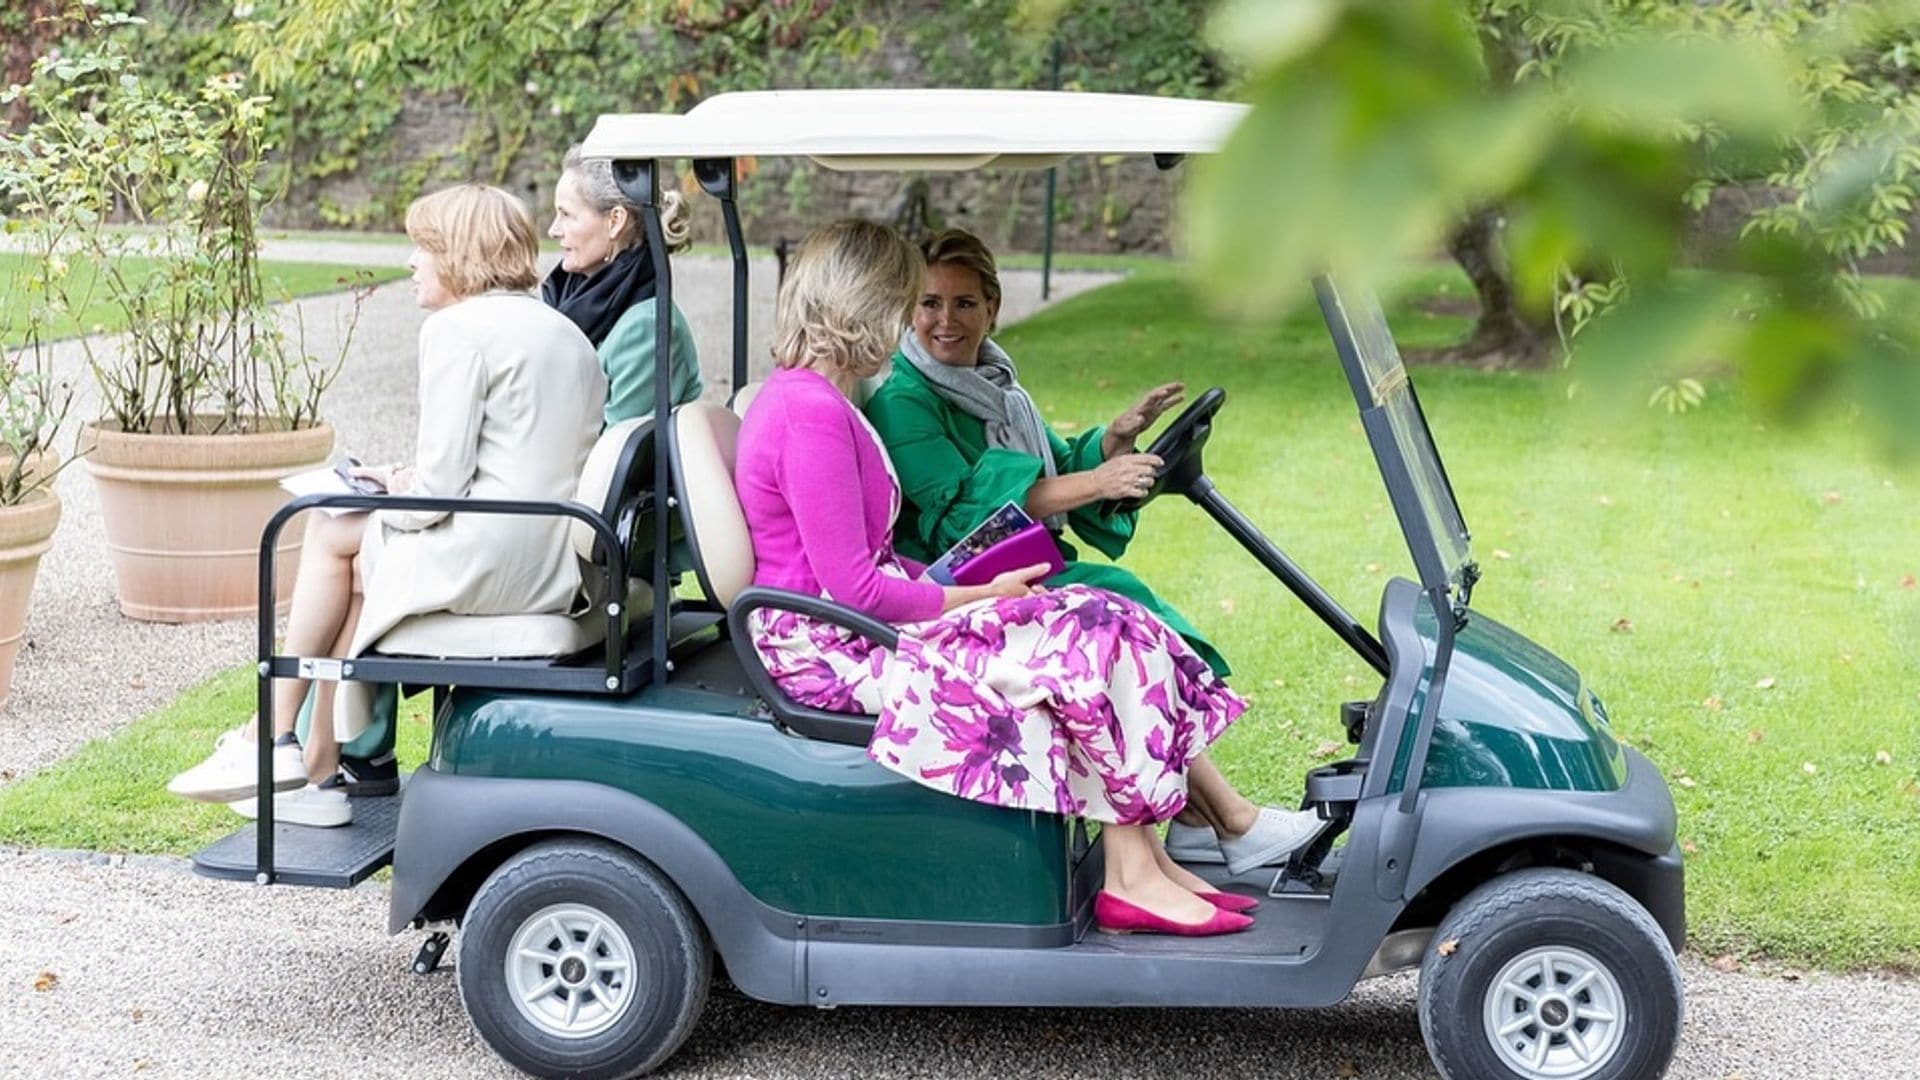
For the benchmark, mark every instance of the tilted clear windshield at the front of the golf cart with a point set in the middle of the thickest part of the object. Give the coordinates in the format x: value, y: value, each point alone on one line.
x: 1403, y: 443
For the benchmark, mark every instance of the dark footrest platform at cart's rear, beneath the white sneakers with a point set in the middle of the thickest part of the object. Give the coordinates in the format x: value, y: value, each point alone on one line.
x: 318, y: 858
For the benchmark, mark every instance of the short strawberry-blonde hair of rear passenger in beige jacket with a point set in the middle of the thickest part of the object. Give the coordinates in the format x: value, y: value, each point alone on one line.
x: 483, y: 239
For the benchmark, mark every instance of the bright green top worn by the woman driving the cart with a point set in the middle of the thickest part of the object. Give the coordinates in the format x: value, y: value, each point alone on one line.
x: 951, y: 479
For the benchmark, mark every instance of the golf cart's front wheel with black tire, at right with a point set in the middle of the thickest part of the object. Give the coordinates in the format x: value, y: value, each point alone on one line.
x: 1581, y: 929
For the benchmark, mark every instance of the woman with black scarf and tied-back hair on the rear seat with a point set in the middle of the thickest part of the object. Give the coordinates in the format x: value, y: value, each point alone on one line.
x: 606, y: 283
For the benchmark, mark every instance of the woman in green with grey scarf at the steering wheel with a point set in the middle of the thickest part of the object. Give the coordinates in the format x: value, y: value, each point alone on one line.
x: 969, y: 441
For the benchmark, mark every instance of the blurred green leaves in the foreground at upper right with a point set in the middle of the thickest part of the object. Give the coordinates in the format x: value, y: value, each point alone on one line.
x: 1596, y: 128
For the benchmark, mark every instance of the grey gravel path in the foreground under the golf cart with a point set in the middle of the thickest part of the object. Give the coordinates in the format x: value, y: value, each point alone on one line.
x: 162, y: 973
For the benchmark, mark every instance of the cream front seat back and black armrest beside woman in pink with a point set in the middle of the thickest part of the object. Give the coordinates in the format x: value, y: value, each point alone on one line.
x: 704, y: 439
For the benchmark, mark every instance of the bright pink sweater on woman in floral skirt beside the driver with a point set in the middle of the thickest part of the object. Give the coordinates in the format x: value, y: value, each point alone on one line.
x: 819, y: 501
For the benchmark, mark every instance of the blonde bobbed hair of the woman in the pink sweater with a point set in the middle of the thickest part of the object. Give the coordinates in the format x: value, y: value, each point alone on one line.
x: 848, y: 297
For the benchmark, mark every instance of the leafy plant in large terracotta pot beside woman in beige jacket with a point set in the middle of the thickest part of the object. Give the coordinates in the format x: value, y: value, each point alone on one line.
x: 204, y: 401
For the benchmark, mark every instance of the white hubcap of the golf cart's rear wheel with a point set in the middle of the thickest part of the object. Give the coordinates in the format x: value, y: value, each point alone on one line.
x: 571, y: 971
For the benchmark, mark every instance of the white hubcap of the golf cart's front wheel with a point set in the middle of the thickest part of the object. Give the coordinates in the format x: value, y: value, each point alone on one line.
x: 1556, y: 1014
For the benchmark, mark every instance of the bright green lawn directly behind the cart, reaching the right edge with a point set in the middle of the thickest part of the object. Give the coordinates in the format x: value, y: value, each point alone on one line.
x: 1740, y: 595
